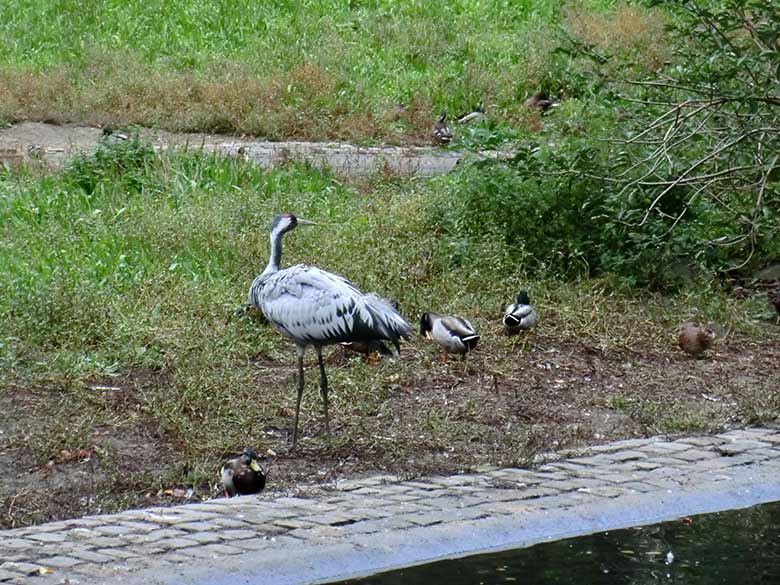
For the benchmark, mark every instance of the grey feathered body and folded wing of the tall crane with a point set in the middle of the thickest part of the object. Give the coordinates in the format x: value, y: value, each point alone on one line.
x: 313, y: 305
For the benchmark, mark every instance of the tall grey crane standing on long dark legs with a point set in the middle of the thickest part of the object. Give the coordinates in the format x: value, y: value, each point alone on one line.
x: 311, y: 306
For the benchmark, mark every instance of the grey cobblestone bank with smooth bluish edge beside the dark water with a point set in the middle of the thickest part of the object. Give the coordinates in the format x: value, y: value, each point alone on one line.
x: 382, y: 522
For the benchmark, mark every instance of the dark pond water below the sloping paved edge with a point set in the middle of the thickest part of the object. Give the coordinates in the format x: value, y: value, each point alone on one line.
x: 737, y: 547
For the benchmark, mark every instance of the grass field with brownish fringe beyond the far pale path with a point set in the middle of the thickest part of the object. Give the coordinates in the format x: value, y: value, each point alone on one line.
x: 325, y: 70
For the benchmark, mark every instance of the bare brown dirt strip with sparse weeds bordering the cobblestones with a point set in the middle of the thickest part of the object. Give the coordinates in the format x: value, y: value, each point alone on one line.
x: 542, y: 394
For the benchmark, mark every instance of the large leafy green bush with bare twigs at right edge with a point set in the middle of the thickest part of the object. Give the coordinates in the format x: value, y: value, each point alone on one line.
x: 667, y: 177
